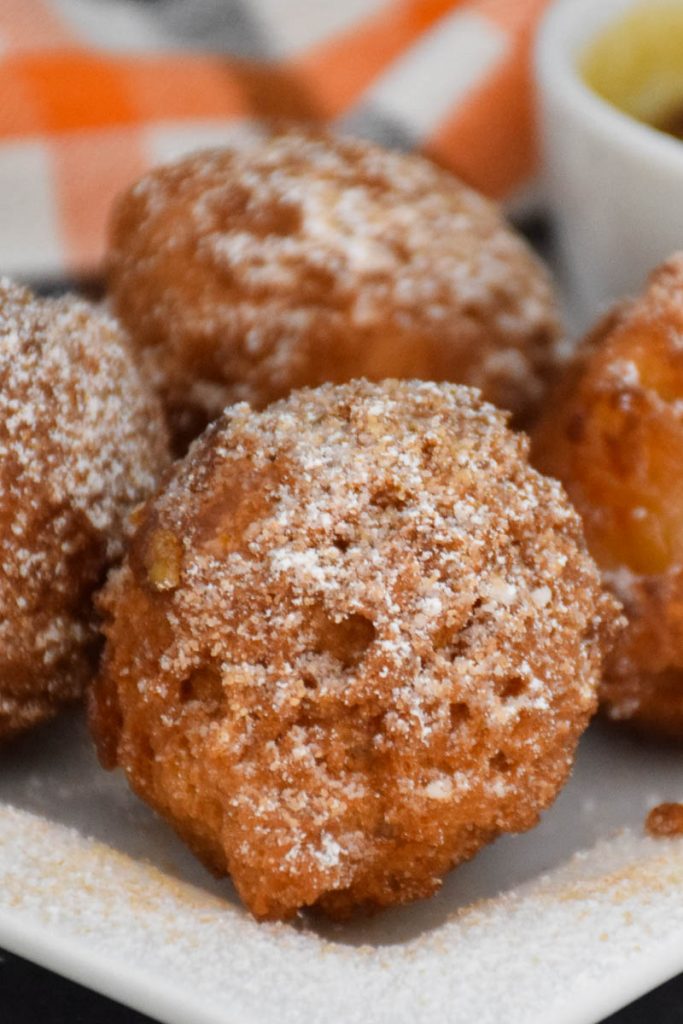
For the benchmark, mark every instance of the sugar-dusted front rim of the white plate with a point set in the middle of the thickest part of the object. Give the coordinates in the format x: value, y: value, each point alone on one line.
x: 595, y: 926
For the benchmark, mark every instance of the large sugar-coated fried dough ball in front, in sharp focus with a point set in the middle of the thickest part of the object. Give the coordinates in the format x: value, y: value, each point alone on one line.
x: 357, y: 637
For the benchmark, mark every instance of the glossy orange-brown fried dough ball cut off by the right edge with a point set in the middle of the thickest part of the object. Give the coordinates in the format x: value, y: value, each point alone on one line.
x: 614, y: 436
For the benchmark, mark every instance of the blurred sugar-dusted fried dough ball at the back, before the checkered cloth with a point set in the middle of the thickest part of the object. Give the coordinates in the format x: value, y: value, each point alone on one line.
x: 305, y: 260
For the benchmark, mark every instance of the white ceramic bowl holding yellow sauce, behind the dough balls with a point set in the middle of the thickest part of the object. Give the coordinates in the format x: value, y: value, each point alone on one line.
x: 616, y: 185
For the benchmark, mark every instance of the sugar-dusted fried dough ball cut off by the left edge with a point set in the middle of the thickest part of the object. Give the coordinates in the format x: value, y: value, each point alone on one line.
x: 81, y: 442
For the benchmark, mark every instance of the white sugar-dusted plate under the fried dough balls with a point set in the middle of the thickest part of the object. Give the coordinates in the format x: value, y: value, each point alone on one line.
x: 532, y: 931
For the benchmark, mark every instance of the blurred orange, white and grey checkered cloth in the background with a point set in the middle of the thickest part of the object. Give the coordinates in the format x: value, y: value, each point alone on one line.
x: 95, y: 92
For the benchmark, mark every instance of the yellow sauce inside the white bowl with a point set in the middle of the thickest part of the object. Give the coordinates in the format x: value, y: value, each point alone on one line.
x: 637, y: 65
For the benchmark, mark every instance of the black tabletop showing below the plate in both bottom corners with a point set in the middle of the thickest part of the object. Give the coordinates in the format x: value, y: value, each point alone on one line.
x: 30, y: 995
